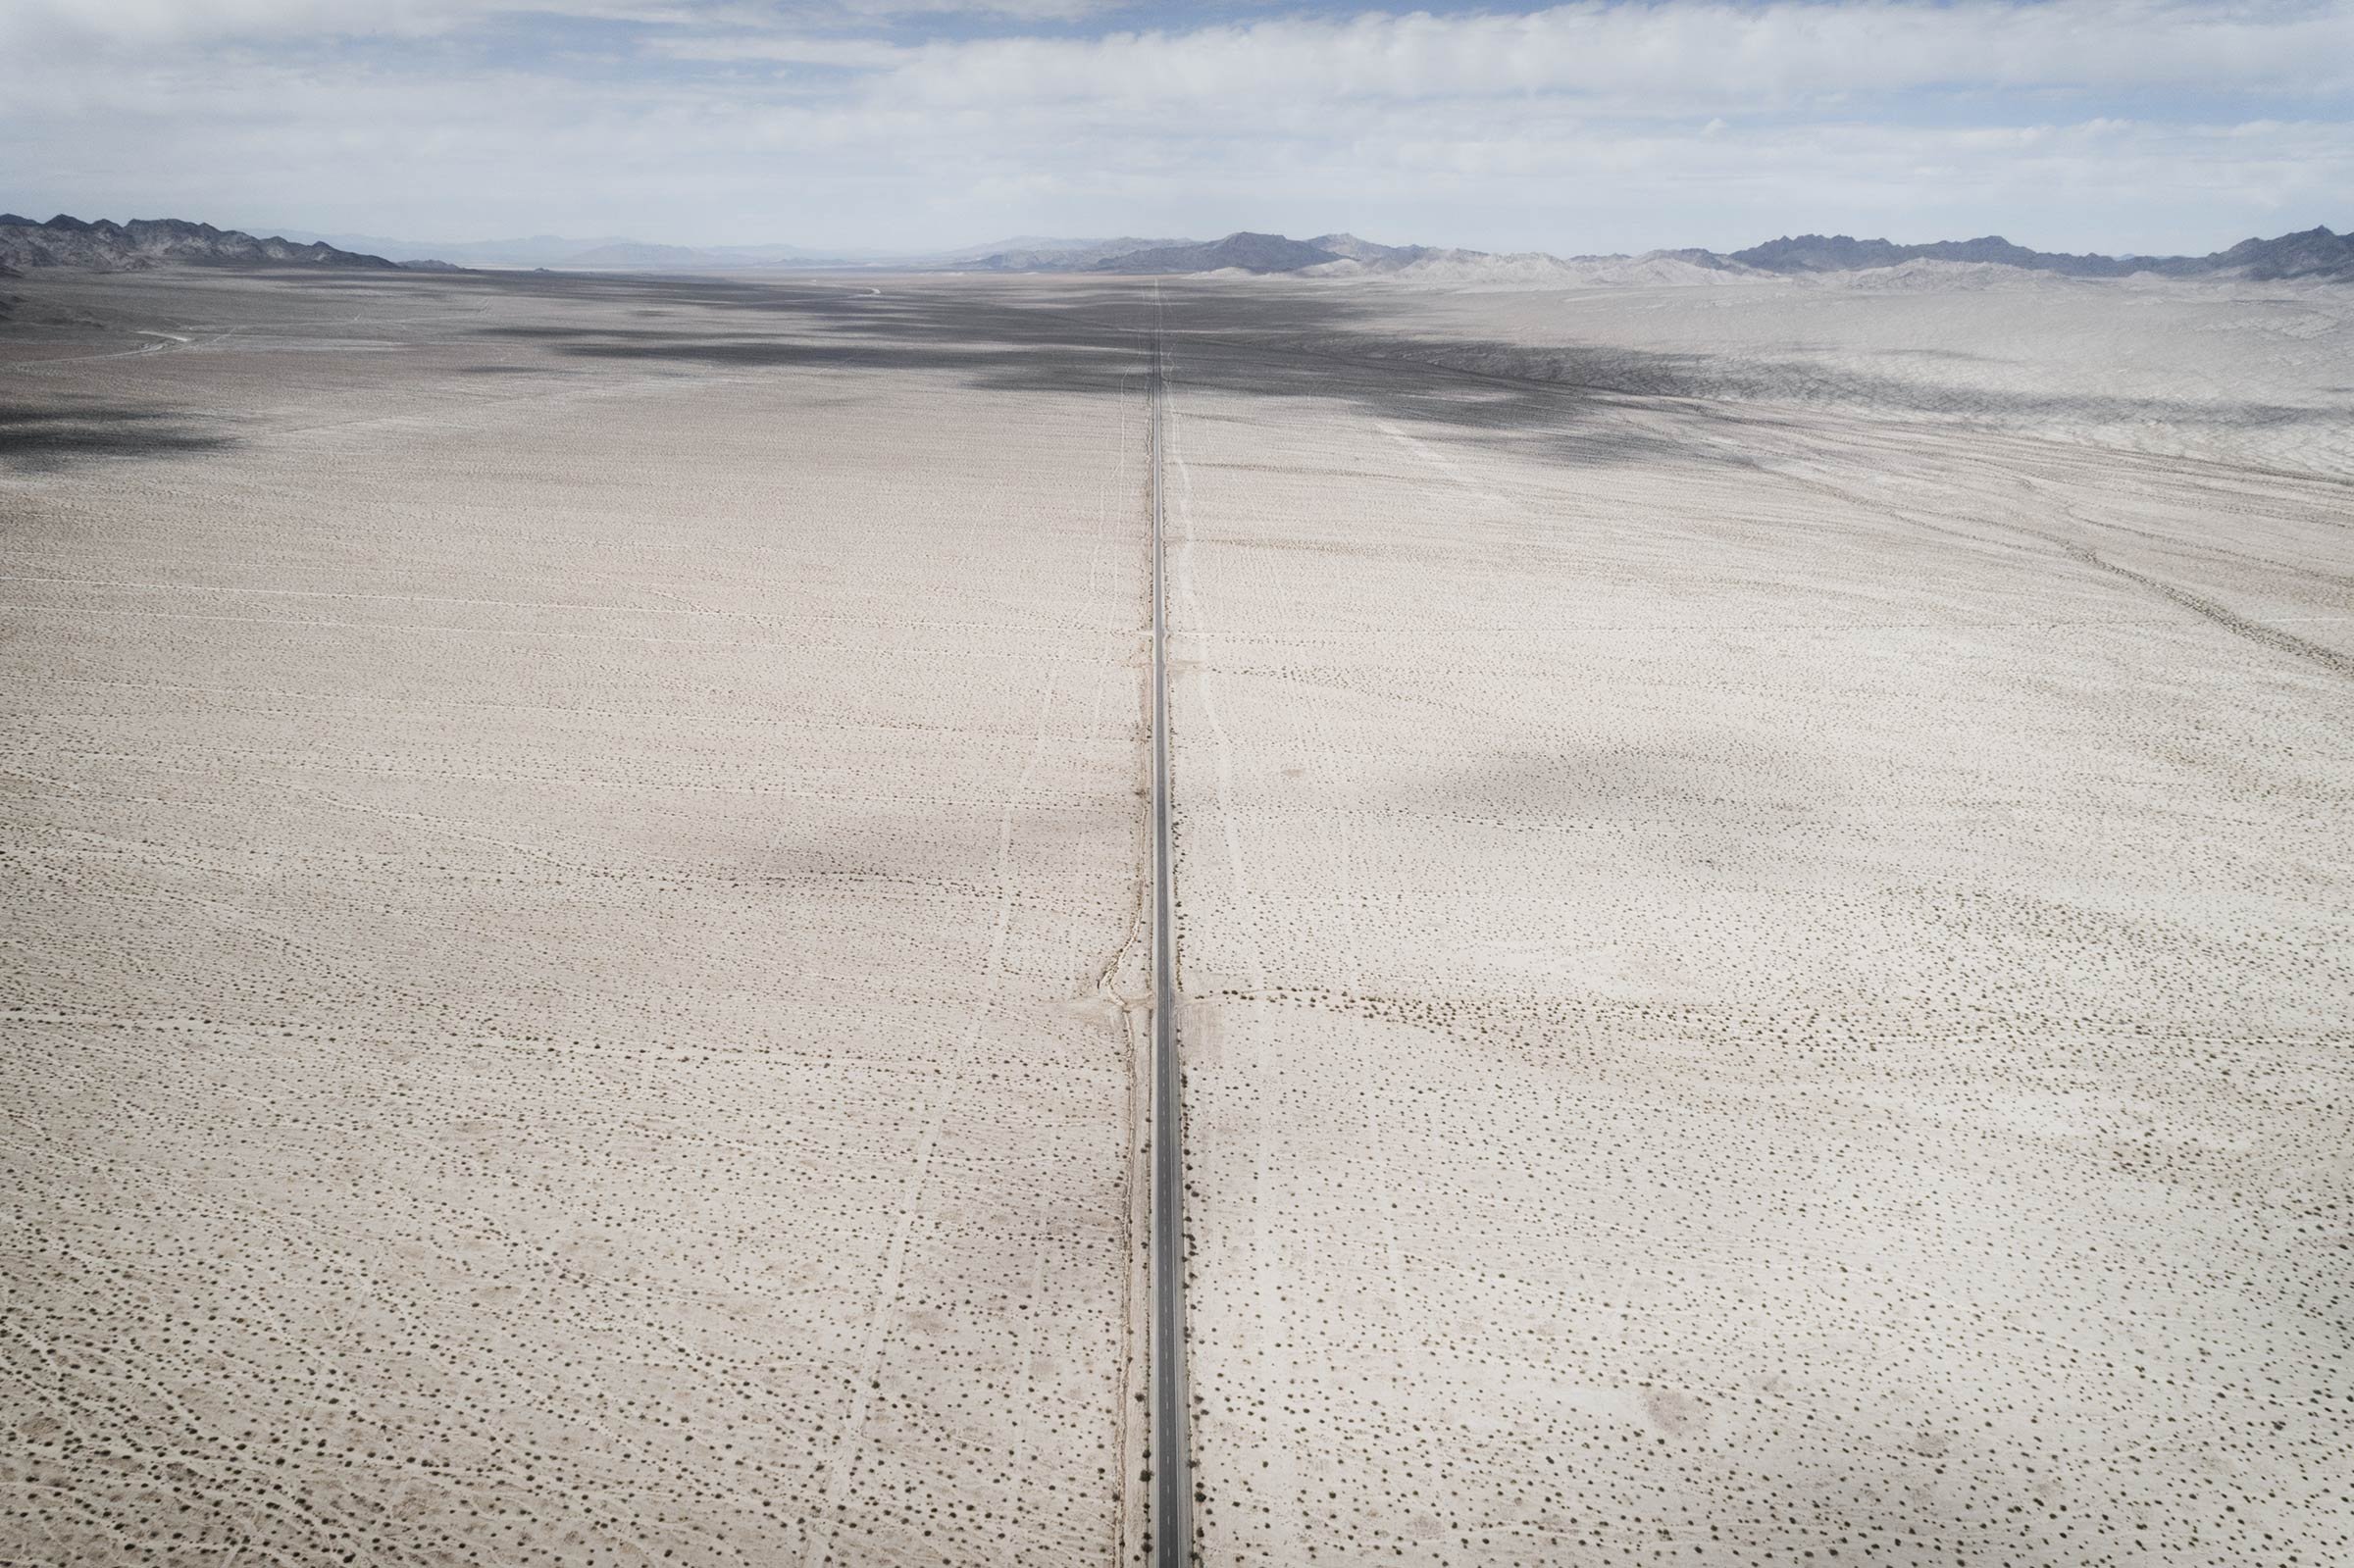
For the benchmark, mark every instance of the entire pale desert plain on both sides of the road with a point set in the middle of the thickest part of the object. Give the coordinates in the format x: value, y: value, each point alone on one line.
x: 1764, y: 919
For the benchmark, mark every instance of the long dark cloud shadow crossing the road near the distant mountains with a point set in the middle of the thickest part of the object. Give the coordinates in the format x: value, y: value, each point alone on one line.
x: 1254, y: 340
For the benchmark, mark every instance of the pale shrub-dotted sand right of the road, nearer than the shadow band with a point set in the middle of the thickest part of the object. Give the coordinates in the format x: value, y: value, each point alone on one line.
x: 1774, y: 985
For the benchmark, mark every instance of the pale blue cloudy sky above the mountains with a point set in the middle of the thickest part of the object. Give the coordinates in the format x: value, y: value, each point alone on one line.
x: 2141, y: 126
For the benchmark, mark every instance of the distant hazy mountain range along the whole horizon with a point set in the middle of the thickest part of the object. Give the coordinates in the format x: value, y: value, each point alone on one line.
x: 105, y: 246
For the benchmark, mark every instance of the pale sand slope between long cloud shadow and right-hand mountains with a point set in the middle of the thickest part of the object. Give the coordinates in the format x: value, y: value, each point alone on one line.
x: 2235, y: 373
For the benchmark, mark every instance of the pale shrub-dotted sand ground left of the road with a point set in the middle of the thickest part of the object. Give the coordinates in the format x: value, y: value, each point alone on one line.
x: 554, y: 938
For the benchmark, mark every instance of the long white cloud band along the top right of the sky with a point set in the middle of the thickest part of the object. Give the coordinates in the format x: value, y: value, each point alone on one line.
x: 1668, y: 53
